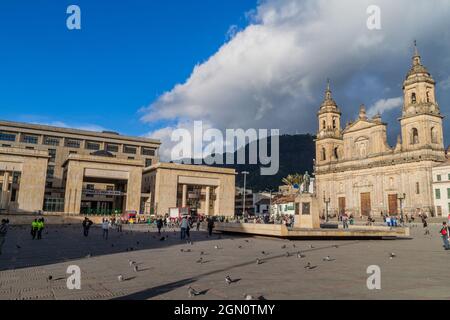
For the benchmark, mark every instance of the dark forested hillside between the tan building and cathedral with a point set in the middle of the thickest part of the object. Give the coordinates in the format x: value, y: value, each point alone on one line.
x: 296, y: 156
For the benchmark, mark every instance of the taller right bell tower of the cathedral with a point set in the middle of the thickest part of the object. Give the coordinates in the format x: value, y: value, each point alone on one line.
x: 421, y: 120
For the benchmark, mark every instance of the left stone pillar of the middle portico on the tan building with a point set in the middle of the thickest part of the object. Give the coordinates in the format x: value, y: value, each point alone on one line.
x: 74, y: 189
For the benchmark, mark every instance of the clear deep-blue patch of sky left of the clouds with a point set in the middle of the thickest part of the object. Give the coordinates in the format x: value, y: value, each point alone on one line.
x: 126, y: 55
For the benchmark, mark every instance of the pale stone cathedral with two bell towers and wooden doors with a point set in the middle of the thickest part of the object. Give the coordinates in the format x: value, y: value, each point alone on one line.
x: 356, y: 170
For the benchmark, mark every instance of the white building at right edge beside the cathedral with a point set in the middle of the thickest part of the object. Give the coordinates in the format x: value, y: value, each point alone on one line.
x: 441, y: 189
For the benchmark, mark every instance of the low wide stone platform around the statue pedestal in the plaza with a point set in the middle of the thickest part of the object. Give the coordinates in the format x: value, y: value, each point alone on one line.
x: 281, y: 231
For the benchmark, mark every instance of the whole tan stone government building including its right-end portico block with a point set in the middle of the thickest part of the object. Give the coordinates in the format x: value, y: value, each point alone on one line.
x: 69, y: 171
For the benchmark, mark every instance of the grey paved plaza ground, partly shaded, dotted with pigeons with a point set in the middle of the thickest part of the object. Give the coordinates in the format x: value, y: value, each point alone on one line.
x: 418, y: 272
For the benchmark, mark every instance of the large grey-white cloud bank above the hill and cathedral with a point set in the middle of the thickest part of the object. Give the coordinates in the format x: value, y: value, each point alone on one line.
x: 272, y: 73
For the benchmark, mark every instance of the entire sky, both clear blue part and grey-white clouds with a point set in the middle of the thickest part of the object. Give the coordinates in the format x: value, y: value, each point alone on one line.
x: 149, y: 67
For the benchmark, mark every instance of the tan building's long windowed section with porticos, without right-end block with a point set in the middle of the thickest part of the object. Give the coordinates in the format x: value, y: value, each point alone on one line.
x: 72, y: 171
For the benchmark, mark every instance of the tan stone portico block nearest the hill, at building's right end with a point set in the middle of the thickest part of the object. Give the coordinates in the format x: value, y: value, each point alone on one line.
x: 205, y: 190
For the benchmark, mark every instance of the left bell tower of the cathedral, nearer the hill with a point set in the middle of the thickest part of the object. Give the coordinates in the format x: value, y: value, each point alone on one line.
x: 329, y: 143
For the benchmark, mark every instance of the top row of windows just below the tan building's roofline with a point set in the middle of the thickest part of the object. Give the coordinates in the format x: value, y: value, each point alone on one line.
x: 74, y: 143
